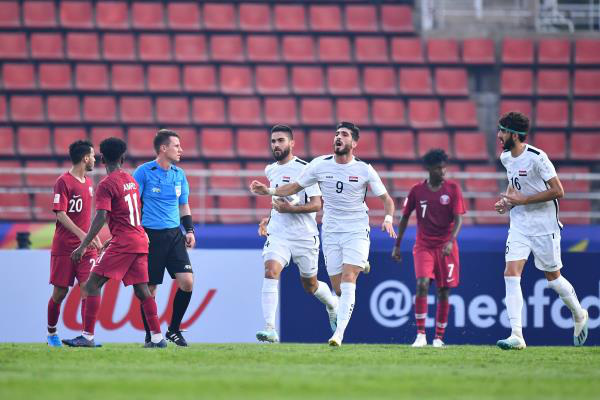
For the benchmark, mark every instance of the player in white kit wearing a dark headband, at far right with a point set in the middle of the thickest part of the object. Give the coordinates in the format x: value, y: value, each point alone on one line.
x: 532, y: 198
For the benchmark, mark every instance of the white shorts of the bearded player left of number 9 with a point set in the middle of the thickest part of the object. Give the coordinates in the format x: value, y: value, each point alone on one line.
x: 304, y: 252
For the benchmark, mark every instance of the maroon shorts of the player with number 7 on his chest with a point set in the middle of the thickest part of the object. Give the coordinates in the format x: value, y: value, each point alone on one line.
x: 432, y: 263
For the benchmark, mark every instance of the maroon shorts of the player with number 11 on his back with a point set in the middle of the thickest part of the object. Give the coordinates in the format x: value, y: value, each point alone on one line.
x: 131, y: 268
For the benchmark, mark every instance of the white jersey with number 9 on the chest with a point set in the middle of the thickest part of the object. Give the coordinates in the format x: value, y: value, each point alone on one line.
x: 344, y: 188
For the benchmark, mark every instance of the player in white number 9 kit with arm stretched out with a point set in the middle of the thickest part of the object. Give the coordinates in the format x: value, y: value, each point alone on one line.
x: 343, y: 180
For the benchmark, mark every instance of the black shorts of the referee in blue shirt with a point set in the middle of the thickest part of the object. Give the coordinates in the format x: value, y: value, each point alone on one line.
x: 166, y: 250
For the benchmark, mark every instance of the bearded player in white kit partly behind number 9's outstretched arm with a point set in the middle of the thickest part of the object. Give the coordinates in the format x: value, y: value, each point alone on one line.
x: 292, y: 233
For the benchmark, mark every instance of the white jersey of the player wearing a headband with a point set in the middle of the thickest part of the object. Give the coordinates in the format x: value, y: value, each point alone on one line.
x: 527, y: 174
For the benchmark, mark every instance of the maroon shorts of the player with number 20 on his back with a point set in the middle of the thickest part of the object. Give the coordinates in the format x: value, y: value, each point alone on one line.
x: 63, y: 270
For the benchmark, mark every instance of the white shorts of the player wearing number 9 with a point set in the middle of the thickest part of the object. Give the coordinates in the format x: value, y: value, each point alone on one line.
x: 345, y: 248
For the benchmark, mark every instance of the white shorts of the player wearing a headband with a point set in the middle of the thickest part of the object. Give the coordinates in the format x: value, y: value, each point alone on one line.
x: 546, y: 249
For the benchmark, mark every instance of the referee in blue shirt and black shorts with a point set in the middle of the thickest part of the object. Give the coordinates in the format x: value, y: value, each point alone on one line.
x: 164, y: 191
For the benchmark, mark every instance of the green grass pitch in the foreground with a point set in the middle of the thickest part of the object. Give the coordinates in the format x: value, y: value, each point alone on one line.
x: 297, y: 371
